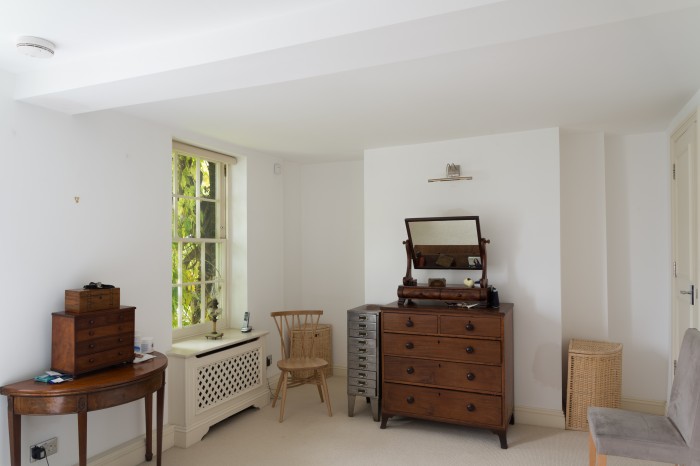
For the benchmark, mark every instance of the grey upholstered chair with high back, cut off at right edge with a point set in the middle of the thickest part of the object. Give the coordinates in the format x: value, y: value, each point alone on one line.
x: 674, y: 438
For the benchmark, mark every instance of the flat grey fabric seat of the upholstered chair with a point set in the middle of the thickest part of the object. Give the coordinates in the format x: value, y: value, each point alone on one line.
x: 618, y: 432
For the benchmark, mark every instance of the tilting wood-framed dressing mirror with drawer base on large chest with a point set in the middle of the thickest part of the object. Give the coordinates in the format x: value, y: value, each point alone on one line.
x: 444, y: 243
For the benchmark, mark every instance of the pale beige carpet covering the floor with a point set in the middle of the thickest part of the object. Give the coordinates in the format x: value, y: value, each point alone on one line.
x: 308, y: 437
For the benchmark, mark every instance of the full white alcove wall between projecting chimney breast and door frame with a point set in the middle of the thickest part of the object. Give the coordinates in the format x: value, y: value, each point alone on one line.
x: 616, y: 252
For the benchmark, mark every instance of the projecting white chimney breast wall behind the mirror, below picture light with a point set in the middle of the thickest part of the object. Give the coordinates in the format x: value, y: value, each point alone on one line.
x: 516, y: 193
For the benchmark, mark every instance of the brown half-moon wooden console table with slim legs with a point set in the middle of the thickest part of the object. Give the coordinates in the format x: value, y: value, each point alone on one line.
x: 91, y: 392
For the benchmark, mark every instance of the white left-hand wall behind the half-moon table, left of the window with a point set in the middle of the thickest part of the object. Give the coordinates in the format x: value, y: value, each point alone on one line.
x: 118, y: 233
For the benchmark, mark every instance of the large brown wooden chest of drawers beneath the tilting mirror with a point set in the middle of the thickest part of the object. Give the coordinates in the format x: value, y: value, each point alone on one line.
x: 448, y: 364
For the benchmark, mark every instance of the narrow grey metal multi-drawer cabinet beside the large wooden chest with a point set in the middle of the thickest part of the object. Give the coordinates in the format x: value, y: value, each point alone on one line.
x: 363, y: 357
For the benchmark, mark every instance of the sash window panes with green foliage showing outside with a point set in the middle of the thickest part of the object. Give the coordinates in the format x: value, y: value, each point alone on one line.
x: 198, y: 246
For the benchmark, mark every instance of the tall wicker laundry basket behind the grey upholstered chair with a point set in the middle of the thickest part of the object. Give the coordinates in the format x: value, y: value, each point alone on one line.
x: 595, y: 379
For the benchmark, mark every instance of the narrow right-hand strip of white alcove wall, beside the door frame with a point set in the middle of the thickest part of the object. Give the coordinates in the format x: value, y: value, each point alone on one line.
x: 639, y: 259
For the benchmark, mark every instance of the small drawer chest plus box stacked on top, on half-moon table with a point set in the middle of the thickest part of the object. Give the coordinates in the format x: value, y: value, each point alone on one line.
x: 93, y: 333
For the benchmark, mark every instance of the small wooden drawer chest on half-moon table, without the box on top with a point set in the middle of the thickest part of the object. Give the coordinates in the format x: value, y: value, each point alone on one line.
x: 83, y: 343
